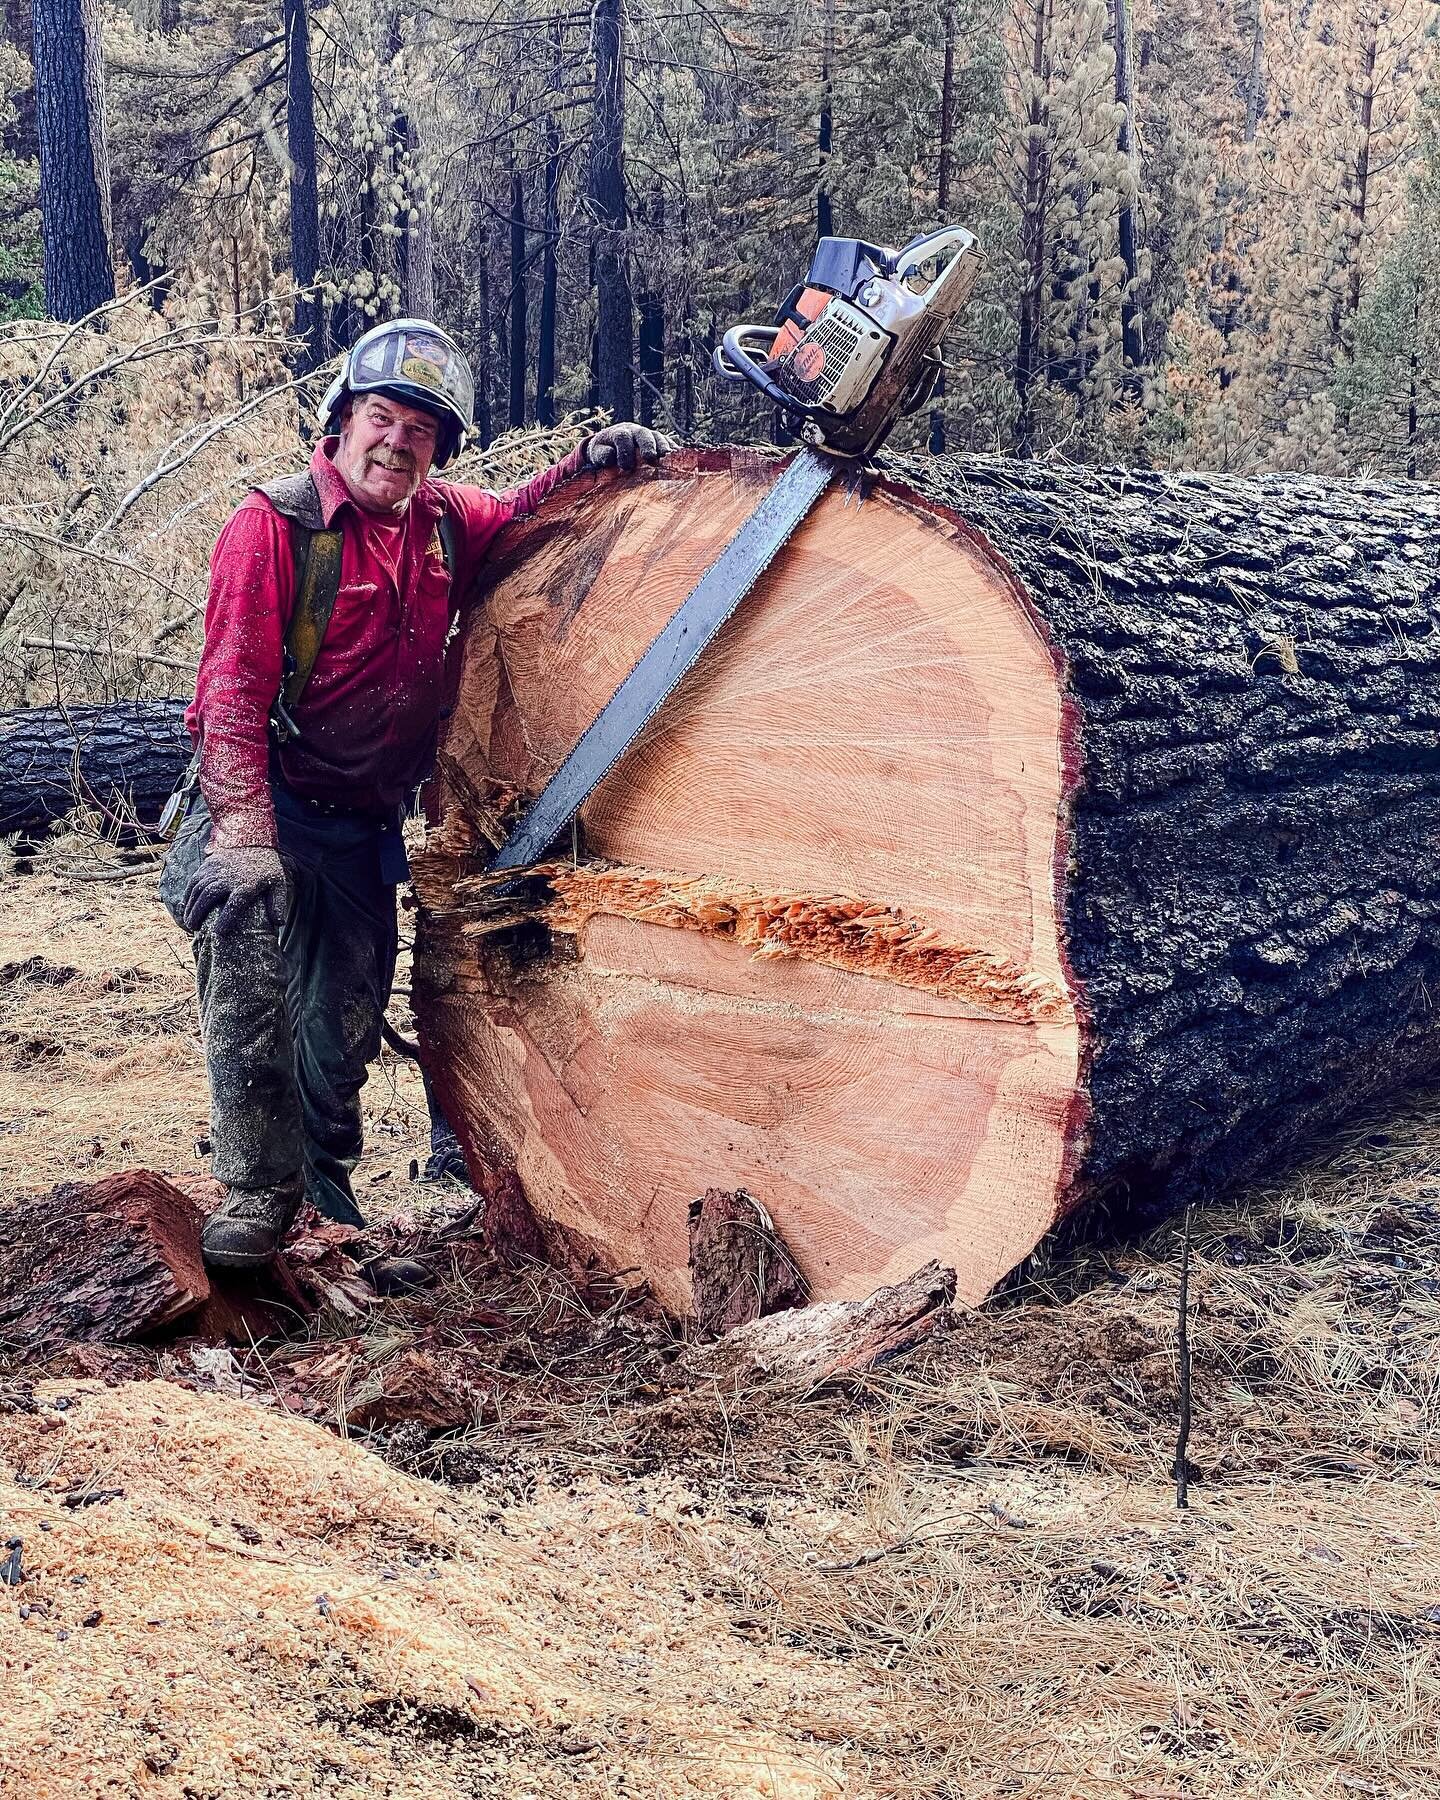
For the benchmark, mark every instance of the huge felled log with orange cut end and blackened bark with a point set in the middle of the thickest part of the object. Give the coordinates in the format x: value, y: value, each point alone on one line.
x: 1030, y: 836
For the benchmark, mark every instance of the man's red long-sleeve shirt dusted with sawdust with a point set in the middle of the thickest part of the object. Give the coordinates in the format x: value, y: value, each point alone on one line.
x: 370, y: 712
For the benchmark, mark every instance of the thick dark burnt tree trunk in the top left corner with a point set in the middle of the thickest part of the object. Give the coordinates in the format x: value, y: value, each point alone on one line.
x: 75, y: 163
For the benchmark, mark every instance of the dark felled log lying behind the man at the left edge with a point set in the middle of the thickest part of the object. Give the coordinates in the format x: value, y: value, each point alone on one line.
x: 123, y: 759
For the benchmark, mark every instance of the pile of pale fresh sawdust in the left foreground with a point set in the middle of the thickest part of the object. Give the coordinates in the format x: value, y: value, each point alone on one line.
x: 228, y: 1601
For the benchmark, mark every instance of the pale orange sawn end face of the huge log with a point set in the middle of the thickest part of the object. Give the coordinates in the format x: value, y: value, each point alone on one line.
x: 813, y: 949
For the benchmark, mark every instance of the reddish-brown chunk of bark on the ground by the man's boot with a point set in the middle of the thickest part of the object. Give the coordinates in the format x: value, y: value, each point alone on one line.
x: 98, y: 1263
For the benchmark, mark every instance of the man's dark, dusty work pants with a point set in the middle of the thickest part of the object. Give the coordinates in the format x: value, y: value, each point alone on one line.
x: 292, y: 1021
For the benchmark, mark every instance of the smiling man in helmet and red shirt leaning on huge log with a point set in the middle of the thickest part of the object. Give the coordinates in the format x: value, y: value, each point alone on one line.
x: 316, y: 715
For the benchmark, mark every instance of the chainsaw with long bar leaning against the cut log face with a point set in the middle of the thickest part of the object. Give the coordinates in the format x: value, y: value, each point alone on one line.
x: 852, y: 350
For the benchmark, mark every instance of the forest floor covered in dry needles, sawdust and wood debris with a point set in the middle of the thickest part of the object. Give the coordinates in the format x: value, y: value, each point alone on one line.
x: 962, y: 1578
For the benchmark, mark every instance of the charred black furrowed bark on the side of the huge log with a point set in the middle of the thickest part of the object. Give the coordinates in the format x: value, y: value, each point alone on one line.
x: 1252, y: 899
